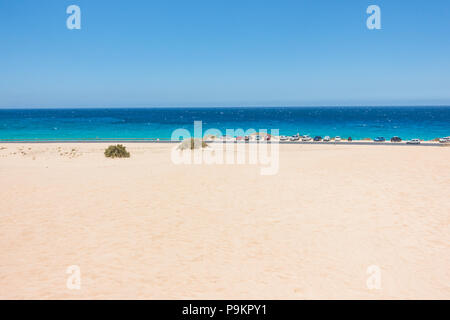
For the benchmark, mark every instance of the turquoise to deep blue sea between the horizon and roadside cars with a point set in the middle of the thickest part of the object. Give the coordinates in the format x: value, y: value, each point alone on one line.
x: 357, y: 122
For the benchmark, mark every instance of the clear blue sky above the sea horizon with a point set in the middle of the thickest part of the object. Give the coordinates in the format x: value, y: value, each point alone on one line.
x: 223, y: 53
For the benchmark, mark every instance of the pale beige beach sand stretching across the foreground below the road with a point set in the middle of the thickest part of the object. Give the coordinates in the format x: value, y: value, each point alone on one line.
x: 145, y: 228
